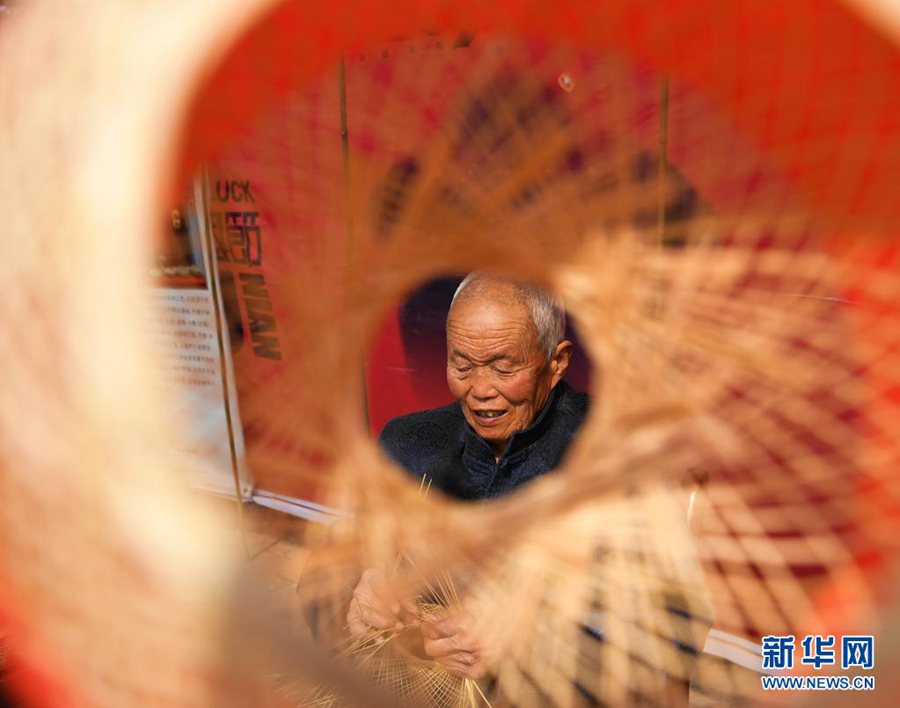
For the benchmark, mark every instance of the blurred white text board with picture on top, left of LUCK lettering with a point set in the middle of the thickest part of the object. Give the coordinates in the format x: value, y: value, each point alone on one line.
x: 197, y: 374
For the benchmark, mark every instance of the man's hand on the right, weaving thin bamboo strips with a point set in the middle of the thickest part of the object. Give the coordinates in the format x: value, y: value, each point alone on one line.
x: 452, y: 640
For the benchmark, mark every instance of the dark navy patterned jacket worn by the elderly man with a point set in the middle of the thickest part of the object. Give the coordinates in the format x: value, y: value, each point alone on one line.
x: 441, y: 445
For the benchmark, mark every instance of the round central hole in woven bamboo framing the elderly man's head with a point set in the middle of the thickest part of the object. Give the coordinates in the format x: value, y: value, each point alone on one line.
x: 476, y: 384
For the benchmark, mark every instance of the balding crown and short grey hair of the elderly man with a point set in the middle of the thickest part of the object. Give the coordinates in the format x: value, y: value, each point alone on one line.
x: 545, y: 311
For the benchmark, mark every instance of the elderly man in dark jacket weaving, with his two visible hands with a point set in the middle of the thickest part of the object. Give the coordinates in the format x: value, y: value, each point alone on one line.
x: 513, y: 420
